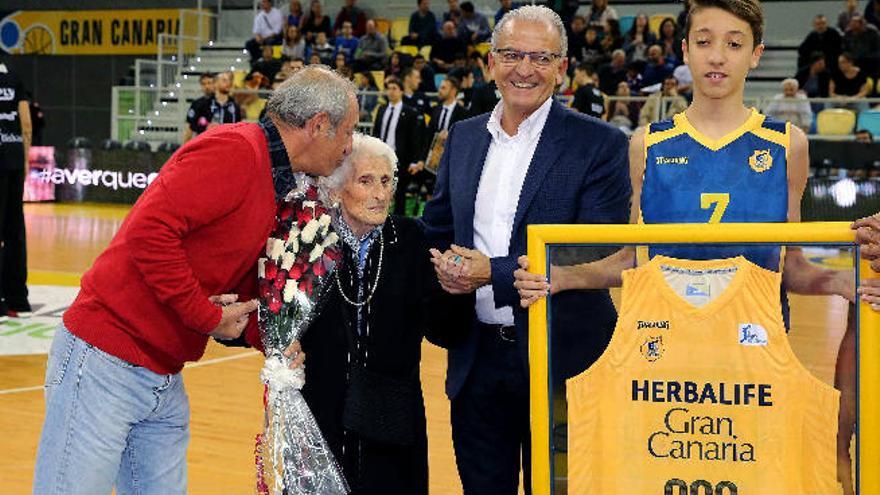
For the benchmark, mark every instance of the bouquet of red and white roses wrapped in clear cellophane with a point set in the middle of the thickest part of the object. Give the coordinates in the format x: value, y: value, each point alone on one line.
x: 292, y: 456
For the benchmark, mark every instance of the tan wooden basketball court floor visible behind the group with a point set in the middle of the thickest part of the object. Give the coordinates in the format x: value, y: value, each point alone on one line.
x: 224, y: 387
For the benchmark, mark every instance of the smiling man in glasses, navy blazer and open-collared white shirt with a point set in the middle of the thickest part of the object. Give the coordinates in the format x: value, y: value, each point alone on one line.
x: 531, y: 161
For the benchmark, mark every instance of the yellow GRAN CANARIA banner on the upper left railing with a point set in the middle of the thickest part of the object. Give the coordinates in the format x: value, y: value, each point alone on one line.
x: 90, y: 32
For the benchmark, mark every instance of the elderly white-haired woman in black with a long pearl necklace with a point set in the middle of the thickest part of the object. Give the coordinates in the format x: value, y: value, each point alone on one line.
x: 362, y: 378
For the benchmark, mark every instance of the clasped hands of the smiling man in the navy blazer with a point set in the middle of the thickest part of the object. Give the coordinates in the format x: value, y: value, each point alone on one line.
x: 461, y: 270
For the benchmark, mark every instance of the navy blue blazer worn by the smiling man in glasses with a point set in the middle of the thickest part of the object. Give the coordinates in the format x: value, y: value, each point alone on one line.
x: 578, y: 174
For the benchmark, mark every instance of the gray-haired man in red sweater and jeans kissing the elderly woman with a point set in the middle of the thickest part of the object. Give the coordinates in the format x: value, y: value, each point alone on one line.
x: 181, y: 269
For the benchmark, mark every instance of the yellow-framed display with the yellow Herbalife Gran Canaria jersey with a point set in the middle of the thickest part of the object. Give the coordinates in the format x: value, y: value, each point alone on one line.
x: 699, y: 390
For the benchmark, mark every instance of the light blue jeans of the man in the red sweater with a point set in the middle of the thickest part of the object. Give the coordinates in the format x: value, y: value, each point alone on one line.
x: 110, y: 423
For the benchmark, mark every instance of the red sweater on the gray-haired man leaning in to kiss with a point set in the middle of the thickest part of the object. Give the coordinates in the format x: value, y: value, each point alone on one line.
x: 196, y: 231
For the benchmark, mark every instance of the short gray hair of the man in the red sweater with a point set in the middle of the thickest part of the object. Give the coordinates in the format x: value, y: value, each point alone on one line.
x: 312, y: 90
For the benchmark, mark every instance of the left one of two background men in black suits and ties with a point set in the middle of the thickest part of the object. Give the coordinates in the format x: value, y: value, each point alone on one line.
x: 401, y: 127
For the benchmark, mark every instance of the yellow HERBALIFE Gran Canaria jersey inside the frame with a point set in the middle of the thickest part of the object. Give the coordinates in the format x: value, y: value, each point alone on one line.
x: 699, y: 392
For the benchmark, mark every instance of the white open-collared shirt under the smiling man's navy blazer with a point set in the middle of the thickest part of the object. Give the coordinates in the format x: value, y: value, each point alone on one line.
x: 504, y: 172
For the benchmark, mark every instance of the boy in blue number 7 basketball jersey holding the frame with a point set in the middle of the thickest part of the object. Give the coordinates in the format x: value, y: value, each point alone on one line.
x: 718, y: 161
